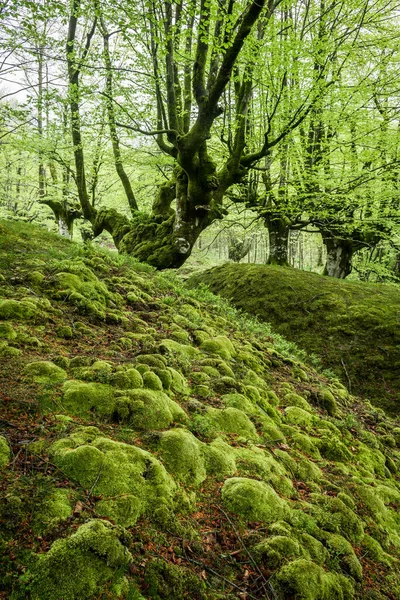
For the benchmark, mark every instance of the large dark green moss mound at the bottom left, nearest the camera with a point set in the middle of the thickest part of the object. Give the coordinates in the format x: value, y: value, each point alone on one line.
x: 77, y: 568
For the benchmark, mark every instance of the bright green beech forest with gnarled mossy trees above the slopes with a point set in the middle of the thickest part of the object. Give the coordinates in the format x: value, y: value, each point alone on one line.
x: 155, y: 123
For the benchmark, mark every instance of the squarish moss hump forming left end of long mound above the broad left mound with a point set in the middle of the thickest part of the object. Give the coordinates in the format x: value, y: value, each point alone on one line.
x: 82, y: 399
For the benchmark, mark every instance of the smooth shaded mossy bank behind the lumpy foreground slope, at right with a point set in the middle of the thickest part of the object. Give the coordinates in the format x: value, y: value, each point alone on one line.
x: 359, y: 321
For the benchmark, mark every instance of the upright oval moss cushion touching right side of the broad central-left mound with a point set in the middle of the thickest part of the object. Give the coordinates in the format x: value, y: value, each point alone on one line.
x: 182, y: 456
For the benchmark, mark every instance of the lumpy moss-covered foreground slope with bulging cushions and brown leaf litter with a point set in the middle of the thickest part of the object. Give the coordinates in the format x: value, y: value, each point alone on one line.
x: 189, y: 427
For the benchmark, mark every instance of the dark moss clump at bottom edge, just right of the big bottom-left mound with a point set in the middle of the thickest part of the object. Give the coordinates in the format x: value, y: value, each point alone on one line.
x: 166, y: 581
